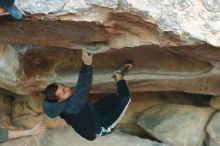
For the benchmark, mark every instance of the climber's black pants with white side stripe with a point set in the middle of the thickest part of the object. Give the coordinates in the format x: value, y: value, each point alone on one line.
x: 111, y: 108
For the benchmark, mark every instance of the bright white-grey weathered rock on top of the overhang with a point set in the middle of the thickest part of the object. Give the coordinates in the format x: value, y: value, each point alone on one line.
x: 170, y: 16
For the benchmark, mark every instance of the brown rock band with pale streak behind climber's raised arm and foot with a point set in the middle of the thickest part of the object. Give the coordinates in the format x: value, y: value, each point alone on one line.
x: 156, y: 69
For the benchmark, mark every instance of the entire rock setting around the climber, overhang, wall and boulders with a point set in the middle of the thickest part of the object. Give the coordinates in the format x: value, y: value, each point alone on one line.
x: 175, y: 83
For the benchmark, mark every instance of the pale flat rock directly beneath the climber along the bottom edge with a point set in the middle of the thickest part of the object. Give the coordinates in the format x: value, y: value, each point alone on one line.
x: 68, y: 137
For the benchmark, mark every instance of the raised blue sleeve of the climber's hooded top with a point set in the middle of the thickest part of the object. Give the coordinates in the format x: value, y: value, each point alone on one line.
x: 80, y: 96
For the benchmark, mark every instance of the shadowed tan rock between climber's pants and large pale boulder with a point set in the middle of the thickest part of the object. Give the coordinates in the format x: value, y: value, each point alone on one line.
x: 139, y: 102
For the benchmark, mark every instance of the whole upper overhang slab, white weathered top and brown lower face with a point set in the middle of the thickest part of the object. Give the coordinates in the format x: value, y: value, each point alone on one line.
x: 119, y: 23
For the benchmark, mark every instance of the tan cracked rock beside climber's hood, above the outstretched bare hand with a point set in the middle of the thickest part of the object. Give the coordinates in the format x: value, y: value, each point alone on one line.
x: 27, y: 111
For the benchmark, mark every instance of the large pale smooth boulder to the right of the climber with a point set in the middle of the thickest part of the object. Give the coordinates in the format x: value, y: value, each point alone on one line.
x: 178, y: 125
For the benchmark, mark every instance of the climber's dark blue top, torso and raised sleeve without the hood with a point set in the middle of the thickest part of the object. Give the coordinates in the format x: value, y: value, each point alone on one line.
x: 79, y: 112
